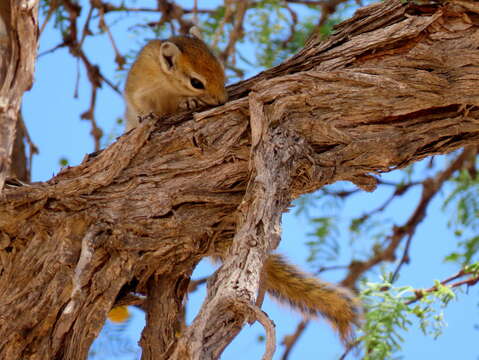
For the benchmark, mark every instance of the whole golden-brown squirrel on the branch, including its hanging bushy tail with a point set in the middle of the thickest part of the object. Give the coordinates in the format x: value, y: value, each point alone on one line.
x: 181, y: 72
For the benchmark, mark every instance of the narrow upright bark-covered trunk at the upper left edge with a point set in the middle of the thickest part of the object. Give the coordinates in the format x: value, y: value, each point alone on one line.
x: 18, y: 48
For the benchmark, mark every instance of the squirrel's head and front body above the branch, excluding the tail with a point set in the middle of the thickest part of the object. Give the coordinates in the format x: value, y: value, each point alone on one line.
x: 171, y: 75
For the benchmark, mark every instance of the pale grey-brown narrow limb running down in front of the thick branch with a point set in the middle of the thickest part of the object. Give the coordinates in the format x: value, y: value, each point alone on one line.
x: 274, y: 153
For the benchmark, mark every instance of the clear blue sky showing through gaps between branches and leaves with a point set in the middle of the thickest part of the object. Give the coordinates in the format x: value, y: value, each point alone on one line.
x: 53, y: 119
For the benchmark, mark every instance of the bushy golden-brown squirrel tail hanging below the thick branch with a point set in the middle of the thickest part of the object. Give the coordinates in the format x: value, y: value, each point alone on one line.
x: 312, y: 296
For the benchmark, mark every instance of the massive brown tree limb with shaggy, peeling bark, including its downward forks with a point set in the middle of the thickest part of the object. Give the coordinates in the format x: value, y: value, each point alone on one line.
x: 394, y: 84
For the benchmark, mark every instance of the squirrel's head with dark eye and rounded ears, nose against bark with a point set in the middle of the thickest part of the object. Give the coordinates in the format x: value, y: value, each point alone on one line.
x: 192, y: 69
